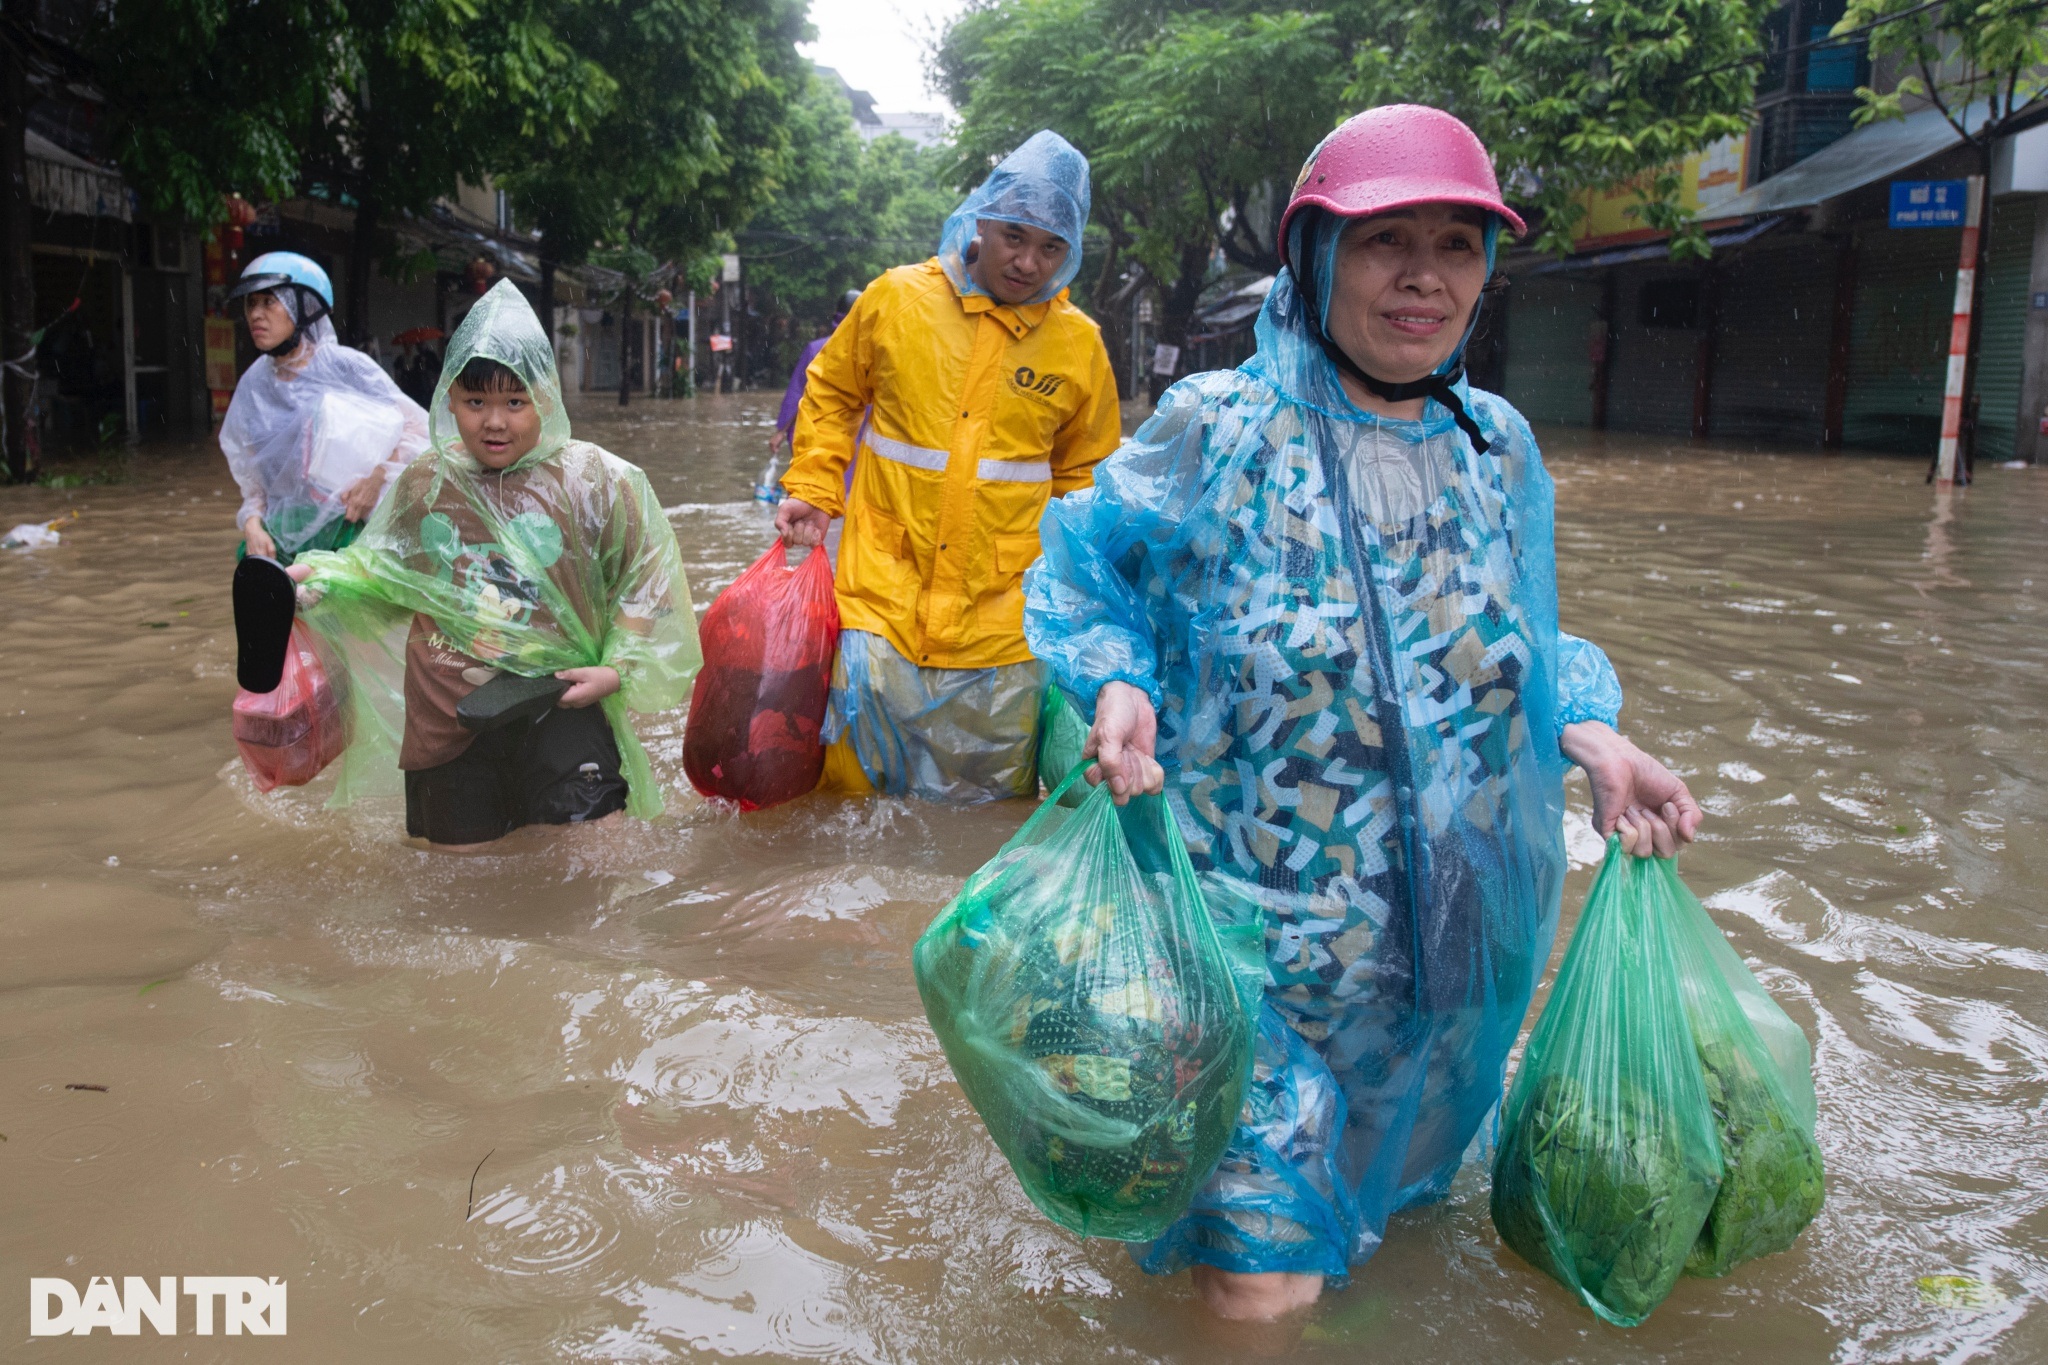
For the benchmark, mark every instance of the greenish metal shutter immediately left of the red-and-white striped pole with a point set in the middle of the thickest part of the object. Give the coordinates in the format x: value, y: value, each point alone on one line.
x: 1906, y: 294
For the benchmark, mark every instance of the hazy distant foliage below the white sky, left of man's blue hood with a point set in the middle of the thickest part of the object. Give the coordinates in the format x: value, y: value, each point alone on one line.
x: 843, y: 212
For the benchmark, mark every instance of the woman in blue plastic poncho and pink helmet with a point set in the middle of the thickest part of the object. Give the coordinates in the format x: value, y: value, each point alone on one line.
x: 1316, y: 601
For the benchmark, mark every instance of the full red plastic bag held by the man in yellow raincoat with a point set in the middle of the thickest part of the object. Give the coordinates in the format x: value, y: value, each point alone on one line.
x: 759, y: 707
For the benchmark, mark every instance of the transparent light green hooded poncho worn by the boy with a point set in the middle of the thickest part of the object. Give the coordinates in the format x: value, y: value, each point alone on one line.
x: 564, y: 560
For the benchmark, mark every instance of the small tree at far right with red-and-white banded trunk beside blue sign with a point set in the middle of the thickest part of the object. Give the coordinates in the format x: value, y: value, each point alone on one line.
x: 1977, y: 62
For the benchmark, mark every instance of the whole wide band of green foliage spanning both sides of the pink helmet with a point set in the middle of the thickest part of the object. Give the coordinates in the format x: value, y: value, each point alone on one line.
x: 1199, y: 116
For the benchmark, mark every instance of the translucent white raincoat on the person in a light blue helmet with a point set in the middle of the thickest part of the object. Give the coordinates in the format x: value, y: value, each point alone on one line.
x: 304, y: 429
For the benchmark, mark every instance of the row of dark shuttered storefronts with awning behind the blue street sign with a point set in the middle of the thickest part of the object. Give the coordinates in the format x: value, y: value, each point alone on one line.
x: 1814, y: 324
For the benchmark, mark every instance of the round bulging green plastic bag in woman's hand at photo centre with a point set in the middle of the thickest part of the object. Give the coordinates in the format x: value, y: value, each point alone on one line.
x: 1093, y: 1014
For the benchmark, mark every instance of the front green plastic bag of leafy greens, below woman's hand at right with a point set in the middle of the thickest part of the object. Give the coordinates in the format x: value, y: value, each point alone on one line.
x: 1611, y: 1161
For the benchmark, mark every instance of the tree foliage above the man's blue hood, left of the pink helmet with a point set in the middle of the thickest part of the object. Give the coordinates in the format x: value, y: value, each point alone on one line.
x: 1193, y: 116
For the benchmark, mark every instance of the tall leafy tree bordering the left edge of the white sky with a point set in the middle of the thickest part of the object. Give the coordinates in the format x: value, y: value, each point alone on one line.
x: 683, y: 152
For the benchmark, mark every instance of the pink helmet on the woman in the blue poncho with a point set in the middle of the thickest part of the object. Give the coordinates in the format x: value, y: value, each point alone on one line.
x: 1396, y: 157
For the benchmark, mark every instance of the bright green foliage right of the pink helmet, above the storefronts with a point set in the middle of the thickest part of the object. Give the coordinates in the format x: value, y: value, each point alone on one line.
x: 1576, y: 95
